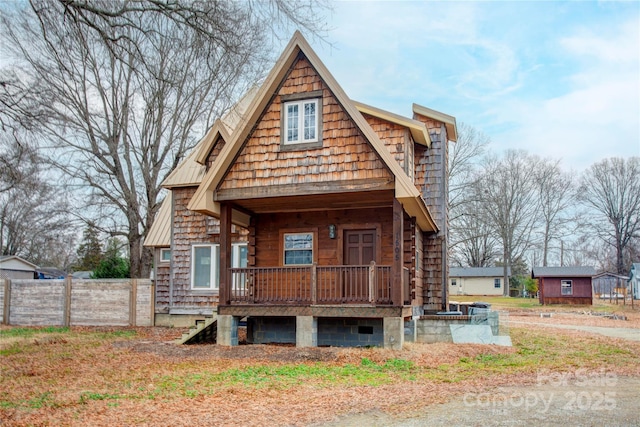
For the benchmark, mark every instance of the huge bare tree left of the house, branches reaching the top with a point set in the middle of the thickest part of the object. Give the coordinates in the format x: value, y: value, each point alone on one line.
x: 128, y: 86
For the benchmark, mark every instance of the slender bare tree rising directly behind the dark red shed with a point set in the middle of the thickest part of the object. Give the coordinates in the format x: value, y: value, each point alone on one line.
x: 555, y: 195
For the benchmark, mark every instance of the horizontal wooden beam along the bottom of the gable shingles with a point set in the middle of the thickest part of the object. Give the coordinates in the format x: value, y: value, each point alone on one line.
x: 303, y: 189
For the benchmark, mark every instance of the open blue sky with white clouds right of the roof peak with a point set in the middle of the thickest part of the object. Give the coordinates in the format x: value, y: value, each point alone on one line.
x: 558, y: 79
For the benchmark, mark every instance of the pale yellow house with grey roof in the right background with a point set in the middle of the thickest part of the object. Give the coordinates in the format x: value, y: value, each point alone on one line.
x: 477, y: 280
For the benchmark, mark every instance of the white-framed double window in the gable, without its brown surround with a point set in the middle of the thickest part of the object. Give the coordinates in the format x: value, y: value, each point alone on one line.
x: 301, y: 121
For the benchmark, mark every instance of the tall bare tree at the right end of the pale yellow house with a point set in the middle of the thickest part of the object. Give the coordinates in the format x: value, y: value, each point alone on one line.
x: 508, y: 189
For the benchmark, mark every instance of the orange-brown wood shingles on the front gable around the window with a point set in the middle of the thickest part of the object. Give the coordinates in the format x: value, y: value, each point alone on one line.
x: 344, y: 156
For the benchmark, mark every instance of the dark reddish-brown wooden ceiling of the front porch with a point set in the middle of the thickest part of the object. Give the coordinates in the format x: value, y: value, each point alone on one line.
x: 314, y: 202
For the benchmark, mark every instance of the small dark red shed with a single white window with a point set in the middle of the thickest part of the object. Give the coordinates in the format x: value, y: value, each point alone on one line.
x: 564, y: 285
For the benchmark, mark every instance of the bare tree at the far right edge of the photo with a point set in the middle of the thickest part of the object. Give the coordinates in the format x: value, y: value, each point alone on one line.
x: 611, y: 190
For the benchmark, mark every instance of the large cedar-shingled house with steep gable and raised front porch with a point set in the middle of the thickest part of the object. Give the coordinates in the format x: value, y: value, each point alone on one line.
x: 319, y: 219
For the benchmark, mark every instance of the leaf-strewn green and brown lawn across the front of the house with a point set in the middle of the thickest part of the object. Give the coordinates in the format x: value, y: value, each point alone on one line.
x: 85, y: 367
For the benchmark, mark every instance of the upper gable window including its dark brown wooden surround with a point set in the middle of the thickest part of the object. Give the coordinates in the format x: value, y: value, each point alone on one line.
x: 301, y: 119
